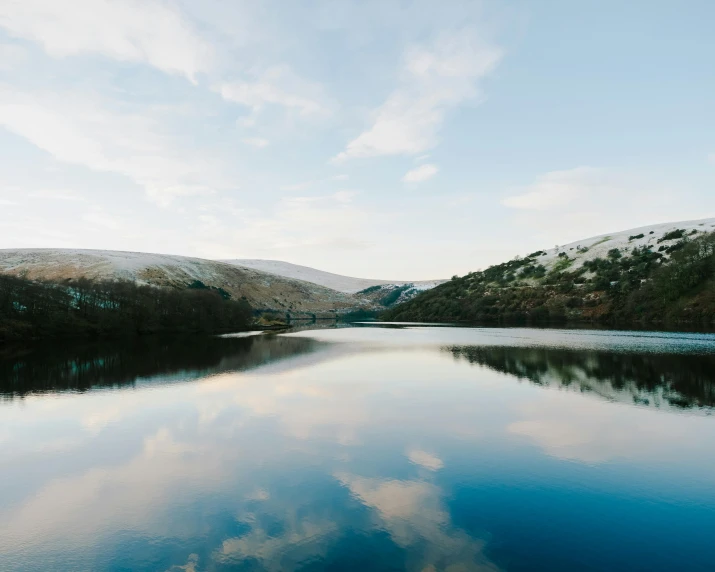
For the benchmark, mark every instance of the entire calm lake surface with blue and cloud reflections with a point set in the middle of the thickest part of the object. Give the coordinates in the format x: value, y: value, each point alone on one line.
x: 363, y: 448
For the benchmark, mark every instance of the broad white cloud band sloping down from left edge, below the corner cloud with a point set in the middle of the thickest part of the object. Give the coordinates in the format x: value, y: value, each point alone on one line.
x: 80, y: 131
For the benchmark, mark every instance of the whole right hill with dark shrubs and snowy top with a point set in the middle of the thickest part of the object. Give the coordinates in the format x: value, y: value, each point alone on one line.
x: 662, y: 273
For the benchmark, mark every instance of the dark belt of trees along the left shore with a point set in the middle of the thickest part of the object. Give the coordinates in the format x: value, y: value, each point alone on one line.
x: 83, y: 308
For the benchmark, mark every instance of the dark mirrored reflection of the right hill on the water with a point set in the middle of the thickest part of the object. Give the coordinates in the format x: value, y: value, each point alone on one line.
x: 676, y: 380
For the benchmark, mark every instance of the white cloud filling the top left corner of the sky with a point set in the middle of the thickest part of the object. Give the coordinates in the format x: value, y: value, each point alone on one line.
x: 146, y: 31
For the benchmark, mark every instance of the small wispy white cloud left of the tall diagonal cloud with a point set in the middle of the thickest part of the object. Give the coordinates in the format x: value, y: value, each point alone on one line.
x: 277, y: 85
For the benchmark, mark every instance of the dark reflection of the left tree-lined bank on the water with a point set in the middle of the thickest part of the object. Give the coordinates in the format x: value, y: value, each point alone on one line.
x: 76, y: 367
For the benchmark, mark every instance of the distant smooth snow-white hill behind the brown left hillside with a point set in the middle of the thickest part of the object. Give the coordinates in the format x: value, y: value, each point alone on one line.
x: 337, y: 282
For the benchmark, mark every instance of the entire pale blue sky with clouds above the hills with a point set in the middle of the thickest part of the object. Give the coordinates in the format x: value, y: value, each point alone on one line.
x: 384, y: 139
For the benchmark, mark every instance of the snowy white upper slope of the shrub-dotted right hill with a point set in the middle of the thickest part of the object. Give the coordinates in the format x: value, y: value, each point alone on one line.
x: 625, y: 241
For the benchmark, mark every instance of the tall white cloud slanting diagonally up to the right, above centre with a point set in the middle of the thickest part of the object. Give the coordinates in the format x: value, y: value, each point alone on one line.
x: 434, y: 80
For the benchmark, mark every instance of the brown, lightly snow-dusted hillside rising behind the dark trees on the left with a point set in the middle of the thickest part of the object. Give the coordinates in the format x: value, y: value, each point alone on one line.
x: 264, y: 291
